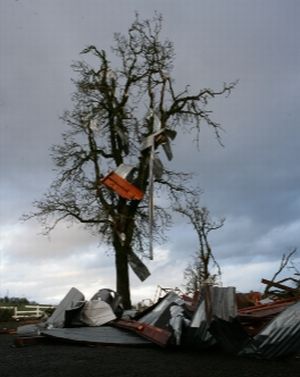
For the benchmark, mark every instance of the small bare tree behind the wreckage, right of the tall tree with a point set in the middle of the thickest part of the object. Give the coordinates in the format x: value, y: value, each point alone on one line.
x: 199, y: 271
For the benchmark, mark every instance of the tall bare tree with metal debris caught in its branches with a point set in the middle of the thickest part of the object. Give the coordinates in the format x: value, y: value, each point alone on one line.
x: 117, y: 110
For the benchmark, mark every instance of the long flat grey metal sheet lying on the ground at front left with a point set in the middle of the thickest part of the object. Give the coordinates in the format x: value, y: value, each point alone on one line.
x: 97, y: 335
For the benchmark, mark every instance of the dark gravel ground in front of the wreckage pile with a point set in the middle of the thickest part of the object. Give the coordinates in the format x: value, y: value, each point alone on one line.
x: 52, y: 359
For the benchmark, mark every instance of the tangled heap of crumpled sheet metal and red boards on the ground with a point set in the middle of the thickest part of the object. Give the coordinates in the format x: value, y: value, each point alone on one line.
x: 243, y: 325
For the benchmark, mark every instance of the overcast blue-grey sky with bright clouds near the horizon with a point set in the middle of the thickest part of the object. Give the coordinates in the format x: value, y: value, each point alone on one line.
x: 253, y: 182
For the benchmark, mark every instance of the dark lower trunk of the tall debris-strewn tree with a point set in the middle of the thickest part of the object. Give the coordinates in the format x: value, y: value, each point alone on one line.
x: 122, y: 273
